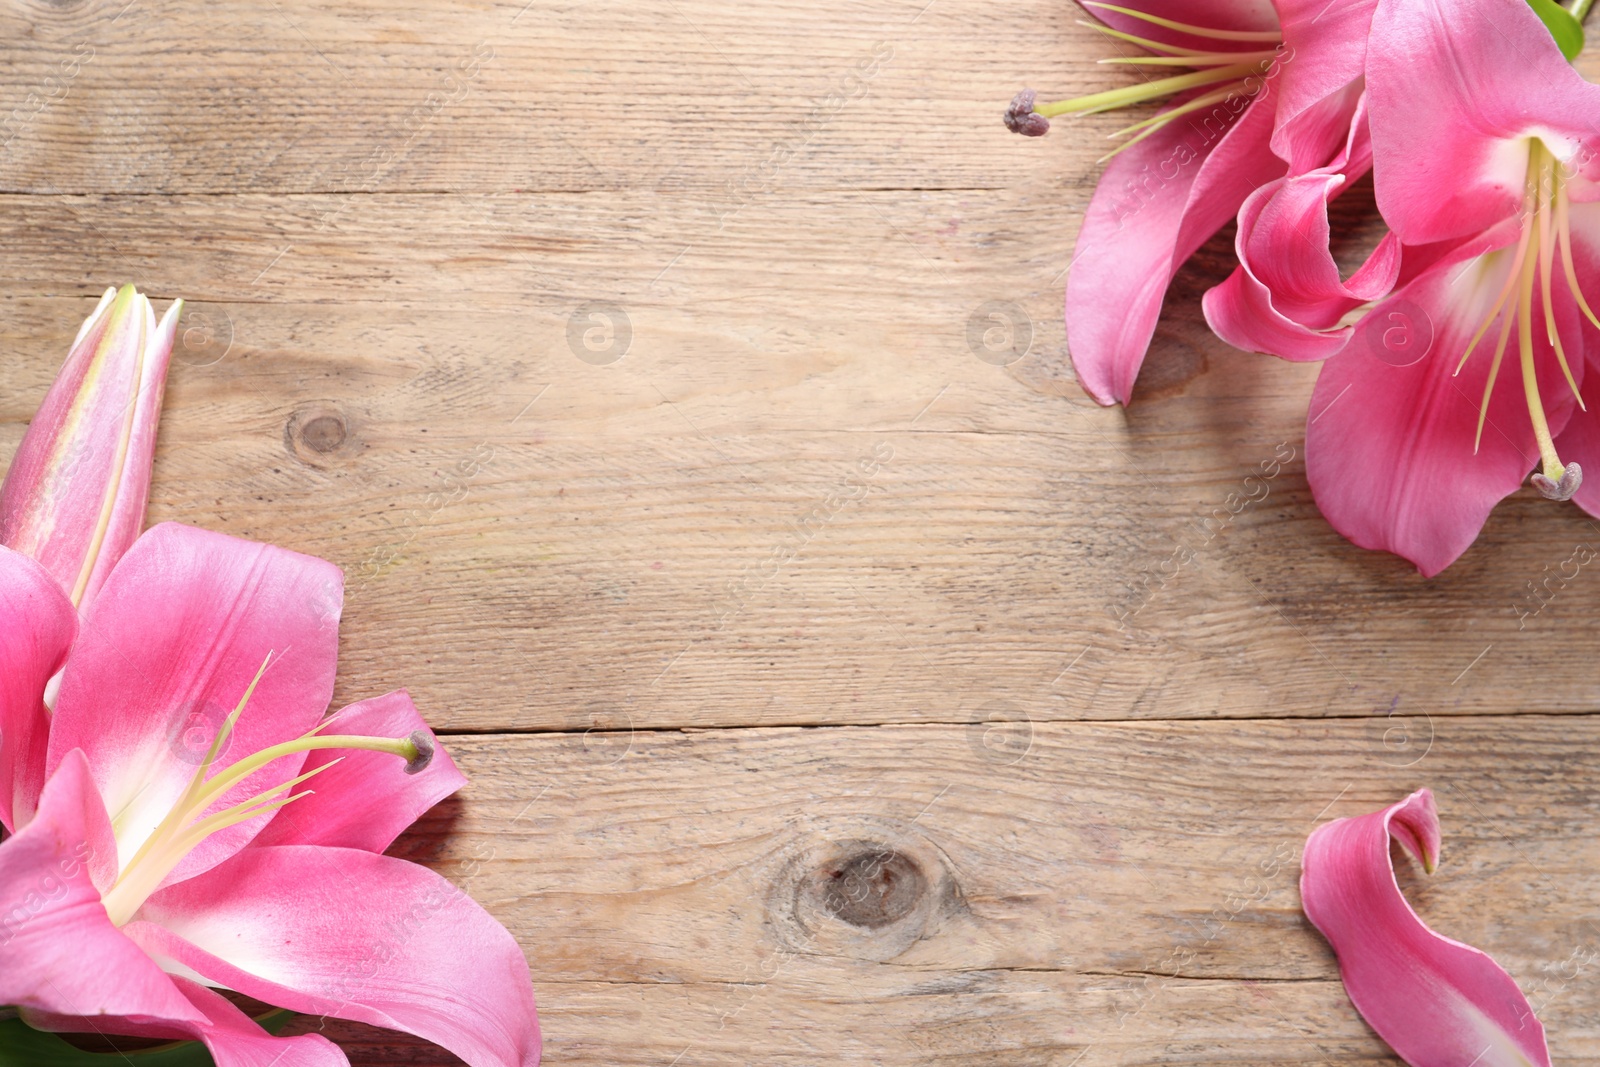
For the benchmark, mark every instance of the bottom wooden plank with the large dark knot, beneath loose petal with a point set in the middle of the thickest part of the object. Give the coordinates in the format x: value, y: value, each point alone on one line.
x: 1118, y: 893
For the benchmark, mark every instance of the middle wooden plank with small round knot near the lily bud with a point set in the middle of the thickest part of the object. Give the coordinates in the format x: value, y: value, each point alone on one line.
x: 774, y: 514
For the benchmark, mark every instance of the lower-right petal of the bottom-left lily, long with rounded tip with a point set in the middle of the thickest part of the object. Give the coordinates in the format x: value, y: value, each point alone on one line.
x: 353, y: 935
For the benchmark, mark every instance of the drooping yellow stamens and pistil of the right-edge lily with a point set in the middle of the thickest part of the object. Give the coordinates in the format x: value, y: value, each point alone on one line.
x: 1545, y: 231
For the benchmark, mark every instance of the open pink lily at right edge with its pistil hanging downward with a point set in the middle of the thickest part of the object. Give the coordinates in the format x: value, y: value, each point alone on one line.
x: 1487, y: 169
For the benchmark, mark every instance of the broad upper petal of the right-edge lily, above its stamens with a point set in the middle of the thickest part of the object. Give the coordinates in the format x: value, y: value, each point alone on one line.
x: 1452, y: 86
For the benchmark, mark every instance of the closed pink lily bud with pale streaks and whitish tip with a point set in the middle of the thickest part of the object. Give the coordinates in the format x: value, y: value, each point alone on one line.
x: 76, y: 494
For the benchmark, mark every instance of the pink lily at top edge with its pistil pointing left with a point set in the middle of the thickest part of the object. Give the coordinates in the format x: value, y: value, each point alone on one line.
x: 1273, y: 94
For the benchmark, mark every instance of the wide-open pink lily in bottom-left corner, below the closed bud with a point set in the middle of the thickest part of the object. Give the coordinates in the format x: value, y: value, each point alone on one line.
x: 161, y: 844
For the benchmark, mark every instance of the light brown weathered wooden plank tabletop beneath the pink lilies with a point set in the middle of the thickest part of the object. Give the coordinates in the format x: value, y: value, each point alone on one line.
x: 825, y: 684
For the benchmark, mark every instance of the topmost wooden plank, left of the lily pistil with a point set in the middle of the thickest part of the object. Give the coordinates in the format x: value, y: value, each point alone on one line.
x: 718, y: 98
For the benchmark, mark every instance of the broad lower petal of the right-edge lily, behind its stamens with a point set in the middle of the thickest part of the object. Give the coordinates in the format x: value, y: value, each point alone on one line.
x: 1390, y: 449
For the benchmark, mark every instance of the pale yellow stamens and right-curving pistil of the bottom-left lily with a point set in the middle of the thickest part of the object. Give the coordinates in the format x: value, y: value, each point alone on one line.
x: 188, y: 825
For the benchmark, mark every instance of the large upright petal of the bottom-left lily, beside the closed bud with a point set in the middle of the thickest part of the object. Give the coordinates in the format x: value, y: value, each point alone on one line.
x: 170, y: 647
